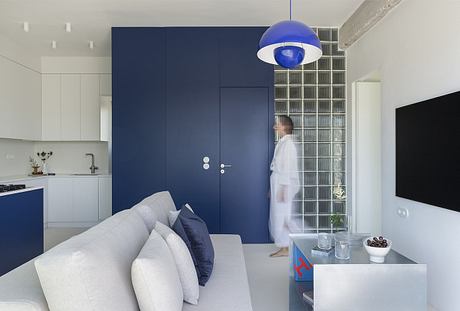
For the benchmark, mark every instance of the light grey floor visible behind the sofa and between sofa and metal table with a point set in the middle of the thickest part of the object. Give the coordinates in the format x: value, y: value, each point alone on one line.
x: 268, y: 277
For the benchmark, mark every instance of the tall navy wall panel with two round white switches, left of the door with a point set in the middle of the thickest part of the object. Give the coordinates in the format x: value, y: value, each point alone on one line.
x: 193, y: 119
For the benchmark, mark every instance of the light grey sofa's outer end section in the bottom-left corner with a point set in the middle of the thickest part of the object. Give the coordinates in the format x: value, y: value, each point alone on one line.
x: 20, y: 290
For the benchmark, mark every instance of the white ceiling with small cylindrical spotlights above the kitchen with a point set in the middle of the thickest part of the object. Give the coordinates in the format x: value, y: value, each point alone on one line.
x: 92, y: 19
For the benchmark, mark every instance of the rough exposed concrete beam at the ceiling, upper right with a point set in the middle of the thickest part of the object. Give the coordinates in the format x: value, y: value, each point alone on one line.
x: 369, y: 13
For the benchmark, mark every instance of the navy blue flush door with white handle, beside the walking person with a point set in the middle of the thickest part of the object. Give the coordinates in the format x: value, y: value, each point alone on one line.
x: 244, y: 154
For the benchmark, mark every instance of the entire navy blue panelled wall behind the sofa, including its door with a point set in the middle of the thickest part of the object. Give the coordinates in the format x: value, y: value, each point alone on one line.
x: 167, y: 104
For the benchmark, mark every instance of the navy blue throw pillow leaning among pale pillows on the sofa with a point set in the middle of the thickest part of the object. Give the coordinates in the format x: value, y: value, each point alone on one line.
x: 201, y: 245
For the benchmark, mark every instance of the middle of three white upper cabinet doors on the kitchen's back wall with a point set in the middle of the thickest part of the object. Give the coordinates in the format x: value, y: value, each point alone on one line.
x: 70, y: 107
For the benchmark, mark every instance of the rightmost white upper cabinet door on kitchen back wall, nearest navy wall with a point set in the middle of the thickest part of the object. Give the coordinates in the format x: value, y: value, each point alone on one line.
x: 90, y: 108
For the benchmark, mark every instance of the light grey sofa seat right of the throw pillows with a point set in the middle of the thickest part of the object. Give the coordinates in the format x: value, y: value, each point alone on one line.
x: 228, y: 287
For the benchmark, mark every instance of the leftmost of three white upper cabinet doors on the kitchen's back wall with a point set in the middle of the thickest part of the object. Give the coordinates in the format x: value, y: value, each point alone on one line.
x: 51, y: 107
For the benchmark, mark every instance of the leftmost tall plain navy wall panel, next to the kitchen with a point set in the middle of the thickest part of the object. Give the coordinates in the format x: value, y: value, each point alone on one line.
x: 138, y: 114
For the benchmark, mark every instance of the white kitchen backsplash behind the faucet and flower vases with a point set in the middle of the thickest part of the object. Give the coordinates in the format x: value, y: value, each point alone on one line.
x: 68, y: 157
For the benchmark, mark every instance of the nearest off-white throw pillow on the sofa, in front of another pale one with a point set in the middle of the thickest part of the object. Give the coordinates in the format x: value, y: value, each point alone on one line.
x: 155, y: 278
